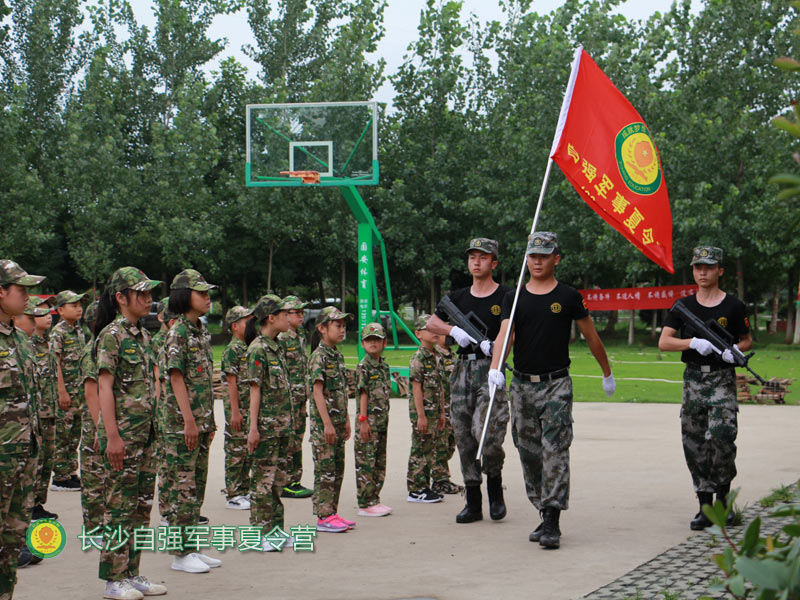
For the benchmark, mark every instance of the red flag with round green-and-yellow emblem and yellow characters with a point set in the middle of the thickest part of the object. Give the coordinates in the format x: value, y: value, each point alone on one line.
x: 605, y: 150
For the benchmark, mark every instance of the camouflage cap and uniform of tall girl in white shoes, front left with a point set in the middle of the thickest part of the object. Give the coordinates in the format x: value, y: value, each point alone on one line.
x: 124, y: 350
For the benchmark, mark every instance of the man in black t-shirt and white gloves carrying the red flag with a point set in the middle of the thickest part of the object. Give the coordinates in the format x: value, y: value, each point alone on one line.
x: 541, y: 390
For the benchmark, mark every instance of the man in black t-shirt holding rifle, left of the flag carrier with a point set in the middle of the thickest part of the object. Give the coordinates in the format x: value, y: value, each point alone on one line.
x: 469, y: 397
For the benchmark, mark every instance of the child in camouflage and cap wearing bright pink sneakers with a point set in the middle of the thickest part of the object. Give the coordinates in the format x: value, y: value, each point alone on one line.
x: 330, y: 427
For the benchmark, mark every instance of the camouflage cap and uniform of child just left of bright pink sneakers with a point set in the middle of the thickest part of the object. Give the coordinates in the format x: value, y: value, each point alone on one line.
x: 267, y: 368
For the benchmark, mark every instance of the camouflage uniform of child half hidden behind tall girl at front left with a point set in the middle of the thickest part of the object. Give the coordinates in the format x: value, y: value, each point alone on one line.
x: 92, y: 470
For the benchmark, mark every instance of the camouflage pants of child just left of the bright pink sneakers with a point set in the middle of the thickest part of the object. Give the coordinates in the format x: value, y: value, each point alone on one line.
x: 270, y: 460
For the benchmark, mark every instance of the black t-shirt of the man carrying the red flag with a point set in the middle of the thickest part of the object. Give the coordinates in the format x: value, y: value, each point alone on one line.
x: 542, y: 326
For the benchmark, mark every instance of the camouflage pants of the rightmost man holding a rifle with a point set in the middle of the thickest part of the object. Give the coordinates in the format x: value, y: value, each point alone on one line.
x: 709, y: 427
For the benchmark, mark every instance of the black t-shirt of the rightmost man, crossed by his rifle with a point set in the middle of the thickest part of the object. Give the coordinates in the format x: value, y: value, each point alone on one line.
x: 730, y: 313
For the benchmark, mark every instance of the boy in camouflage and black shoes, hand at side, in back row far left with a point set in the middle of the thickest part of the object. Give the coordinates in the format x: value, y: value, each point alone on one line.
x: 67, y: 343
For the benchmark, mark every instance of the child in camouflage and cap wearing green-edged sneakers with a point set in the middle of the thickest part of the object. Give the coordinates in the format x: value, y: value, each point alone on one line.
x: 295, y: 352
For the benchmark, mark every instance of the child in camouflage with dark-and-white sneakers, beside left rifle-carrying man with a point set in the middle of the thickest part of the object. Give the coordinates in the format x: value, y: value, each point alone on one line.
x: 426, y: 411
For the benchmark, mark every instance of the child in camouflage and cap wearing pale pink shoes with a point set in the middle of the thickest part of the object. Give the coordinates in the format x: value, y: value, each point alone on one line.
x: 374, y: 389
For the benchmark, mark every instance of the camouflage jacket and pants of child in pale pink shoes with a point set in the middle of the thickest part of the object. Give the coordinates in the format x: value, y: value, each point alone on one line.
x: 372, y: 377
